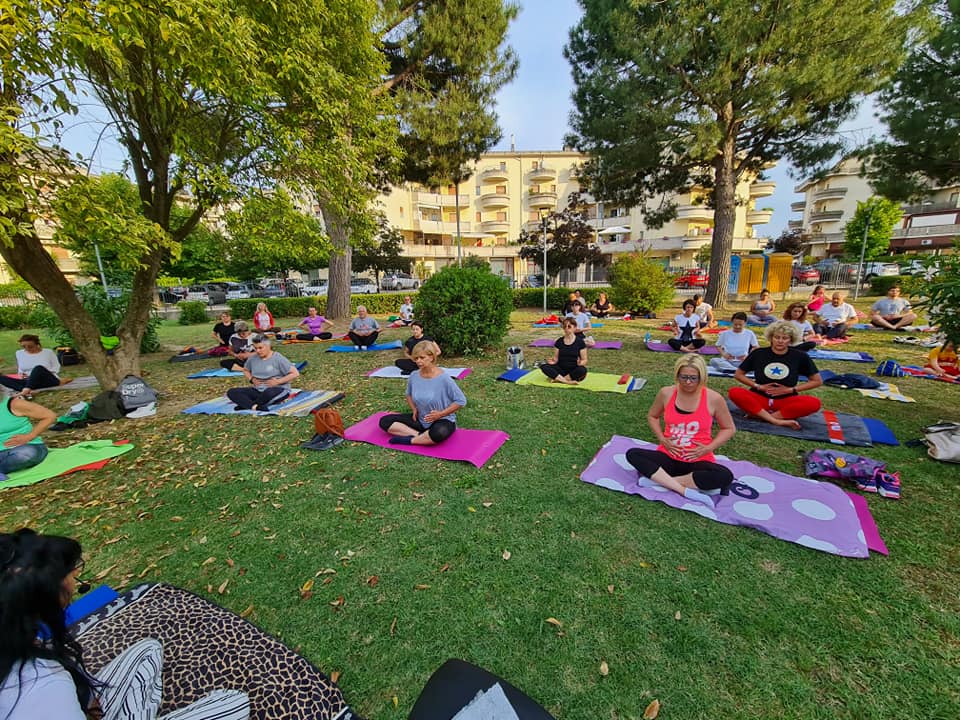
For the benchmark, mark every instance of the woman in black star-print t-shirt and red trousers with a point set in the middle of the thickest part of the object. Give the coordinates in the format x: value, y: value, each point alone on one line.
x: 773, y: 396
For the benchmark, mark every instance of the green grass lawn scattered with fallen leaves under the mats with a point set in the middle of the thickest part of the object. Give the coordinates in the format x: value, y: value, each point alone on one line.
x: 414, y: 560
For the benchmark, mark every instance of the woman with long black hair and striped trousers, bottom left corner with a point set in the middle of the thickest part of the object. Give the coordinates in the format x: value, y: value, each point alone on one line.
x: 42, y: 674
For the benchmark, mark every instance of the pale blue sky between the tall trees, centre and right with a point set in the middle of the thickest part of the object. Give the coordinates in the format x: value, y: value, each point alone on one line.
x: 534, y: 109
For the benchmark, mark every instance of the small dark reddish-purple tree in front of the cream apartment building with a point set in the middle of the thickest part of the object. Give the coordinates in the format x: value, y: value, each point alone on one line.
x: 570, y: 240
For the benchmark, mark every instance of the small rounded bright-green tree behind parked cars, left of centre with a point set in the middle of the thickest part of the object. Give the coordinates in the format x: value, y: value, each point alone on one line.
x: 270, y: 236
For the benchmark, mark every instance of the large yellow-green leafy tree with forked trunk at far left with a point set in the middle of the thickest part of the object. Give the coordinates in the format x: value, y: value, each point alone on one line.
x: 206, y: 96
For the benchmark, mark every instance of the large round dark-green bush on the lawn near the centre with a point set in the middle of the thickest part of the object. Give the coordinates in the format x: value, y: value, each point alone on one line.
x: 464, y: 309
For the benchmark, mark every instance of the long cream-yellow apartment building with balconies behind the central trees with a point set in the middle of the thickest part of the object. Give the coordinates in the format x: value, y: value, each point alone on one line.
x: 510, y: 191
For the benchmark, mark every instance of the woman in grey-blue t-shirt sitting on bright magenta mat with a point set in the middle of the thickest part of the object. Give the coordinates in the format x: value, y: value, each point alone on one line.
x: 434, y: 399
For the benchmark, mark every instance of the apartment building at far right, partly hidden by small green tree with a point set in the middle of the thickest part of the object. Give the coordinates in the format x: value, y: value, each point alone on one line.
x: 830, y: 202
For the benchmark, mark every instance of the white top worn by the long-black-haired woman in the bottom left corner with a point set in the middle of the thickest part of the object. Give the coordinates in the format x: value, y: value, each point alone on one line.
x: 41, y: 689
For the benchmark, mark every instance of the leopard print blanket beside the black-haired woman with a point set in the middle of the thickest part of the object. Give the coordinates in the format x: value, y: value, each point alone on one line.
x: 205, y: 648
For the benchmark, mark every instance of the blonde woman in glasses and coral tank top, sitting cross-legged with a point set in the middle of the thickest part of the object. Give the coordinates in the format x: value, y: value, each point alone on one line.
x: 684, y: 460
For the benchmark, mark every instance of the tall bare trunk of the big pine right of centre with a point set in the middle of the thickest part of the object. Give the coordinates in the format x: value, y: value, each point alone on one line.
x: 724, y: 217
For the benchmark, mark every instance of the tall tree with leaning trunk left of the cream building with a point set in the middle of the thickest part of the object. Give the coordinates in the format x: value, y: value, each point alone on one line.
x: 445, y: 62
